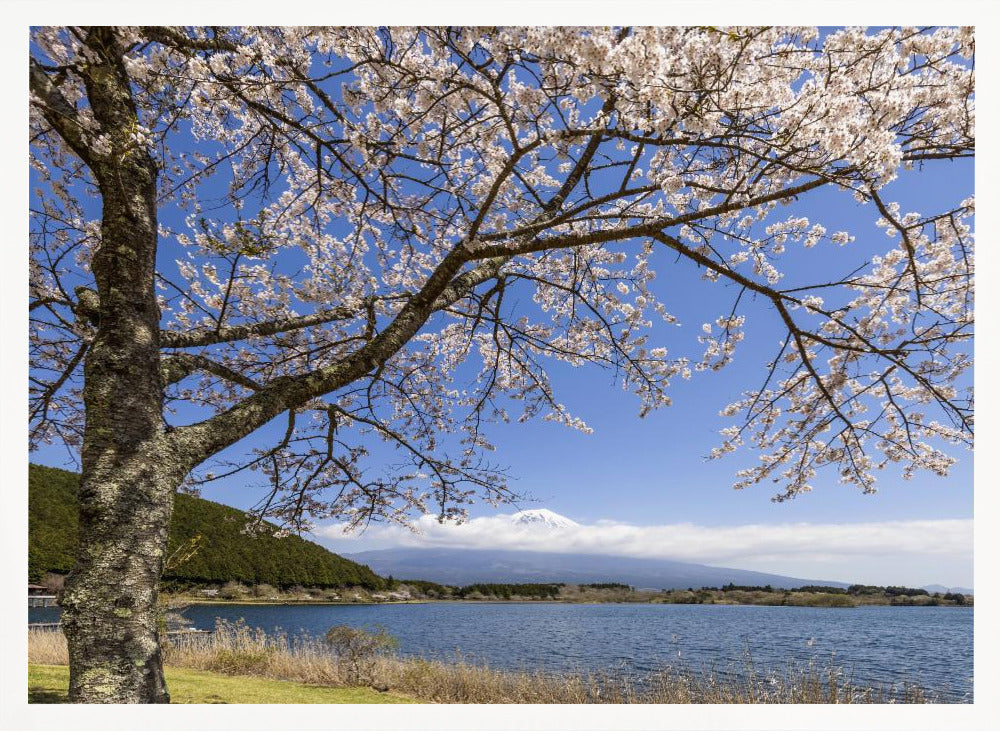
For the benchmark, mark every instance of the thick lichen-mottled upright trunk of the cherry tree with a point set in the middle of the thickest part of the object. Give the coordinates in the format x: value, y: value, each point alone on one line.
x: 128, y: 481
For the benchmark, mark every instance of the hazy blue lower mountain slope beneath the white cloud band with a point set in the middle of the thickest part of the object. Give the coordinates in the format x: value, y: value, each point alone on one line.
x: 464, y: 566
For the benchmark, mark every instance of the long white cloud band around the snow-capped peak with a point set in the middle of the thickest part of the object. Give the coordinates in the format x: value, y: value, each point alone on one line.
x: 920, y: 551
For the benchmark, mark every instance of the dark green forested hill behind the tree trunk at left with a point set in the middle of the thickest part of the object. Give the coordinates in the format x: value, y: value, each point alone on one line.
x: 224, y: 553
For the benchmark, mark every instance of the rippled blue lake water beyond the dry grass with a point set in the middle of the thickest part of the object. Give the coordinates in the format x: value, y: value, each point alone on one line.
x: 929, y: 646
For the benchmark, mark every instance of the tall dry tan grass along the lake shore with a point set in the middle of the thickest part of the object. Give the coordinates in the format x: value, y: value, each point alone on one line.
x: 238, y: 650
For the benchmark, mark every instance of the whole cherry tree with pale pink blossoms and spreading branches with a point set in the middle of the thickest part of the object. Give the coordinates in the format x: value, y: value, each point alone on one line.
x: 321, y: 228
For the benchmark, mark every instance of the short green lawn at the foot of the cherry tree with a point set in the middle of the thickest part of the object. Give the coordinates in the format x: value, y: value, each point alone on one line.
x: 49, y: 684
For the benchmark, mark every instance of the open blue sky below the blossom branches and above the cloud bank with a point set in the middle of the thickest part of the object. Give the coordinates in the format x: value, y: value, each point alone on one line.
x: 653, y: 472
